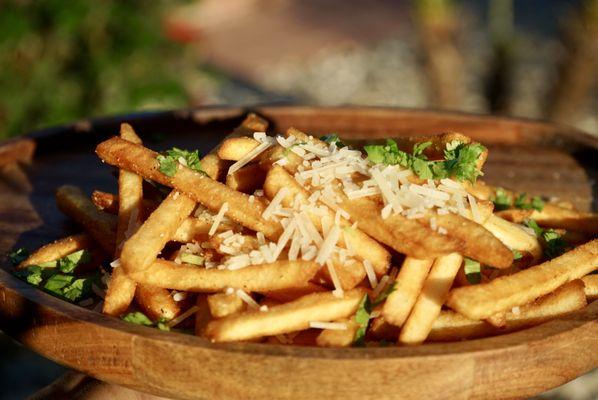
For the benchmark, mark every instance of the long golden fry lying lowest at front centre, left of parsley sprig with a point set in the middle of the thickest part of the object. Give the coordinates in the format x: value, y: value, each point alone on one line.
x: 285, y: 318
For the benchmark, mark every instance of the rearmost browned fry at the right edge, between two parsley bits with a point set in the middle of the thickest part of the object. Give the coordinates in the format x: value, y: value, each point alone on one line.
x: 553, y: 216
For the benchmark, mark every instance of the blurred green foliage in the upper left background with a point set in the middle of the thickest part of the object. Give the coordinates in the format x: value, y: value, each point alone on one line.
x: 67, y: 60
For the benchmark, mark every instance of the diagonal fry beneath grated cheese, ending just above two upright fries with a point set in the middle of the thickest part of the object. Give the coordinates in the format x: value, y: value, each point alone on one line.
x: 364, y: 246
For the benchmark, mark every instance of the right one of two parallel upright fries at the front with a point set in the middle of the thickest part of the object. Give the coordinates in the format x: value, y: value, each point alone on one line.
x: 429, y: 302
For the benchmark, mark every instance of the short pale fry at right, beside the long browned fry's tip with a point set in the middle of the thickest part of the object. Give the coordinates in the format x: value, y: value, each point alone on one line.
x: 512, y: 236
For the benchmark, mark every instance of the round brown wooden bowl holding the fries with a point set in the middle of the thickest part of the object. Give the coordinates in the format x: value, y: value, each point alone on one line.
x: 537, y: 157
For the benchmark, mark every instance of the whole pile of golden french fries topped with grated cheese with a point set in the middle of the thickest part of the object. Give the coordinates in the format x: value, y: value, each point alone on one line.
x: 214, y: 248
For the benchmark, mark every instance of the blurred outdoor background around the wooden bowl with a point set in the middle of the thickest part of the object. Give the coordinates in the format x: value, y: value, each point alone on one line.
x: 65, y: 60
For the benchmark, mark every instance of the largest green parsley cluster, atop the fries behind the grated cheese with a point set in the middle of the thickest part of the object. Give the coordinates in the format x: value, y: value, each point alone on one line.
x: 460, y: 159
